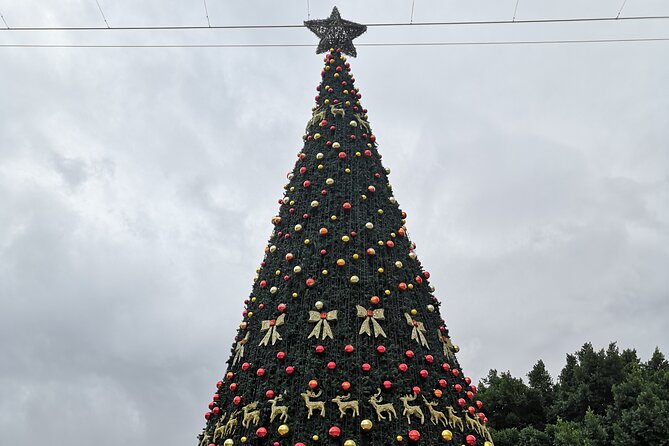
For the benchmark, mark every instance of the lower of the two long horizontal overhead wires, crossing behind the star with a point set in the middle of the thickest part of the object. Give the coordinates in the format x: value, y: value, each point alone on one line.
x: 310, y: 45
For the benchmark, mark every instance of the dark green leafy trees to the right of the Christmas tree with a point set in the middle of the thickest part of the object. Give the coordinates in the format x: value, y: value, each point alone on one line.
x: 601, y: 398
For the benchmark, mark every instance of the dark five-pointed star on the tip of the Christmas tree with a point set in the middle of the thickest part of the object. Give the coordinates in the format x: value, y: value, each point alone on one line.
x: 336, y: 32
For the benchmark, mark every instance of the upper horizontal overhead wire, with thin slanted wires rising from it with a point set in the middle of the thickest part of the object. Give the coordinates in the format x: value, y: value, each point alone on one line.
x: 282, y: 26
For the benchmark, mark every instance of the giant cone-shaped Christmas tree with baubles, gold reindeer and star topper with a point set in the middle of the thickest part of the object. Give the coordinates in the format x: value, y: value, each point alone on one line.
x: 341, y: 340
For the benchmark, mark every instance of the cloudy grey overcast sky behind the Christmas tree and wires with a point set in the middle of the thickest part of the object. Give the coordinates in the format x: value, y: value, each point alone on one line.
x: 137, y: 188
